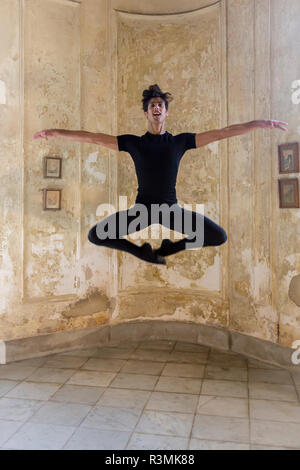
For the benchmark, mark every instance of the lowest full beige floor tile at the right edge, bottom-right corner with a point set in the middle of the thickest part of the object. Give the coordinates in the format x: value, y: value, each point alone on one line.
x: 275, y: 433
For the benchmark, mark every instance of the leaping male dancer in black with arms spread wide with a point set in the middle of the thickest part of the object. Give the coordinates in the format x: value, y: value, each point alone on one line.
x: 156, y: 156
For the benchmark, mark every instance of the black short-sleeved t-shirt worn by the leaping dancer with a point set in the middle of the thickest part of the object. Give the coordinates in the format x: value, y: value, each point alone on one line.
x: 156, y: 158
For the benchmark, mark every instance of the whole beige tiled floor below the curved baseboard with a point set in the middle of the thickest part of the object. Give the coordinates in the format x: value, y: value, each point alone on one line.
x: 148, y: 395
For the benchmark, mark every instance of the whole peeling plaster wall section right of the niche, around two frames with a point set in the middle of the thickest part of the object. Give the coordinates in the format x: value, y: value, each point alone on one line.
x: 264, y: 240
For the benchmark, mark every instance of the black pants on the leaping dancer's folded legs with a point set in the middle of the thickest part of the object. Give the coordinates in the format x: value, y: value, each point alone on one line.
x: 201, y: 230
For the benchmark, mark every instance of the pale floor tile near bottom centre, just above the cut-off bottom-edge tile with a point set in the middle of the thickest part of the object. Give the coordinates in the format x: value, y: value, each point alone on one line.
x: 159, y: 422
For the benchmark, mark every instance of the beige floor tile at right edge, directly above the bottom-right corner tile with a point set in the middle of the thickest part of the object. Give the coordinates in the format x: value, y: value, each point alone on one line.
x: 275, y: 410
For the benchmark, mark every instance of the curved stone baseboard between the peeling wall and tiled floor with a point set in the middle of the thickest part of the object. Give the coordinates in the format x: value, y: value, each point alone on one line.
x: 207, y: 335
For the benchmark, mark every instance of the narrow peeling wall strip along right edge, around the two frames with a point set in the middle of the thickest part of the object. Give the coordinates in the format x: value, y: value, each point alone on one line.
x: 286, y: 222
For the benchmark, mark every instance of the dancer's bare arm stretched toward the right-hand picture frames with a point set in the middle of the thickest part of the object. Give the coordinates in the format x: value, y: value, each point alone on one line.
x: 205, y: 138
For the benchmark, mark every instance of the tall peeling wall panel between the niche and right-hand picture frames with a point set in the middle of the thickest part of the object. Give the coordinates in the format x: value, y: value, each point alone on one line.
x: 252, y: 309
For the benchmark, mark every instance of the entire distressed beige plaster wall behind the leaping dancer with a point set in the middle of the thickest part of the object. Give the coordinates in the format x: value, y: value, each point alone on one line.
x: 84, y: 65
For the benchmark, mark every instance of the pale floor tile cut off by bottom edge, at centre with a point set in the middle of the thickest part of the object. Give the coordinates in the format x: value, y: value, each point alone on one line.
x: 141, y: 441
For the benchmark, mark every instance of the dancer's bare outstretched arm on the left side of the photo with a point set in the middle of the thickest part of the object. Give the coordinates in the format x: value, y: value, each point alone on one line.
x: 105, y: 140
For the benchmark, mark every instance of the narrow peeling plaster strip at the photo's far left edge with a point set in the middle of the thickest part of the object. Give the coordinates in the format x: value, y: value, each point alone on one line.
x: 11, y: 158
